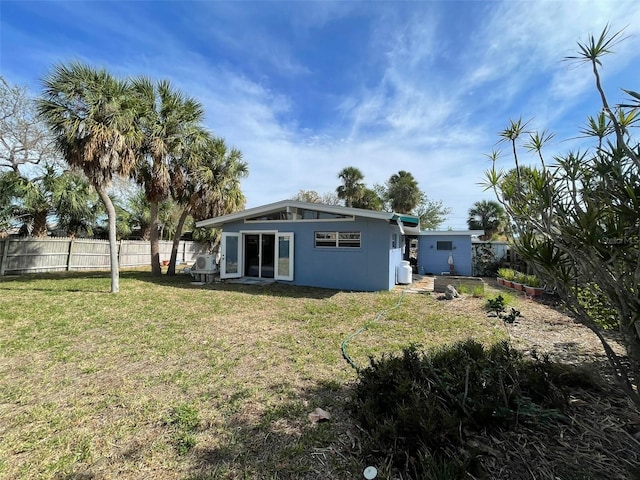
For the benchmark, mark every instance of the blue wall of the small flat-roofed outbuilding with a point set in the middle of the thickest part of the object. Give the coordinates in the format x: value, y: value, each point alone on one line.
x: 433, y: 261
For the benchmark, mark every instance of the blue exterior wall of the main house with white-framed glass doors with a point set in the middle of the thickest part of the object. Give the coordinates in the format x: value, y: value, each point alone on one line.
x: 367, y: 268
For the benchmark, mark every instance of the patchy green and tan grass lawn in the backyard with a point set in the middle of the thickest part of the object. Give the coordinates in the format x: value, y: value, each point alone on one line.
x: 173, y: 381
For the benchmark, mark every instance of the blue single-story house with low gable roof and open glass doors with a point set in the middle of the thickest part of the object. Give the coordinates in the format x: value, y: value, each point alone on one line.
x: 313, y: 244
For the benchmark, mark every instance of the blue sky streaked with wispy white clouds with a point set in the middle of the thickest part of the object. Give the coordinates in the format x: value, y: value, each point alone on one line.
x: 304, y: 89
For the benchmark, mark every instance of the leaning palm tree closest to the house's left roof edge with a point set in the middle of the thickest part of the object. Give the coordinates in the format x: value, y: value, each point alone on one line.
x: 212, y: 187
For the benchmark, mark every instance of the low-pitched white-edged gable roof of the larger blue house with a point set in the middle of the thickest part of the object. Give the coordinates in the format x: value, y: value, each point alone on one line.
x: 408, y: 220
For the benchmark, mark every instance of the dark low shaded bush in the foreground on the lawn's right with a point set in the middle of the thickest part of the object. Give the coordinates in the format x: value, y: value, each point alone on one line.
x: 414, y: 406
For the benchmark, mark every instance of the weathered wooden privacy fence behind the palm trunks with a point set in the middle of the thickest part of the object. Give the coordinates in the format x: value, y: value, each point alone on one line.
x: 30, y: 255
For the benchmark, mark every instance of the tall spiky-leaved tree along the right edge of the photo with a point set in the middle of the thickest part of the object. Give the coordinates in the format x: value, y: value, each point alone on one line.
x: 577, y: 219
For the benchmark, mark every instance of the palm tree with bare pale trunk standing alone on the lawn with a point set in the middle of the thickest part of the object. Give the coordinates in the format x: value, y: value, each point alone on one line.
x: 91, y: 116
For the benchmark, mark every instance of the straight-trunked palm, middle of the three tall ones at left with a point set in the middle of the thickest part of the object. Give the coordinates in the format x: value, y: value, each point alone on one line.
x: 169, y: 121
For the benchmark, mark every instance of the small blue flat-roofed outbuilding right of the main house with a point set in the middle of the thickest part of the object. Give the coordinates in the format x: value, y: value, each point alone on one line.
x: 441, y: 251
